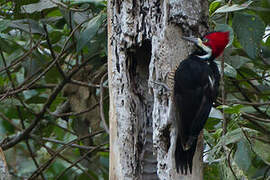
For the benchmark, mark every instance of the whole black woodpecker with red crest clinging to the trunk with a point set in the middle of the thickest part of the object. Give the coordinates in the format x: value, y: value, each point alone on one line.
x: 196, y: 83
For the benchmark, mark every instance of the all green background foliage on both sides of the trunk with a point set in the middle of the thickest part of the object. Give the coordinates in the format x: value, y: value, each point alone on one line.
x: 34, y: 33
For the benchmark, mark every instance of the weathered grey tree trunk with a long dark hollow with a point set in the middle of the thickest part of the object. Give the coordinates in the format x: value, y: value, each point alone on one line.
x: 144, y: 45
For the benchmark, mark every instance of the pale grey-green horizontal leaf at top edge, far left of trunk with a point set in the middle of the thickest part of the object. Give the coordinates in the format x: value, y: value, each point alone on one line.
x: 38, y: 7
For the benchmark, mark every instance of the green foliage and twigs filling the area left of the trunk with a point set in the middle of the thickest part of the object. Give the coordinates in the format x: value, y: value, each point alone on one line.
x: 40, y: 40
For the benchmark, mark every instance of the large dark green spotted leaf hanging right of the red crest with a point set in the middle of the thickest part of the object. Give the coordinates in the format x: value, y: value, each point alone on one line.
x: 249, y: 30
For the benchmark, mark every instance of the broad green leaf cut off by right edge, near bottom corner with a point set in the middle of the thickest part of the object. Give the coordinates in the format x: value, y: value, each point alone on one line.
x: 262, y: 149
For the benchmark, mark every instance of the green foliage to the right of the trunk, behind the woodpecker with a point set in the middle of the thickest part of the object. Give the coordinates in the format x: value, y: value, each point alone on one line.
x: 242, y: 152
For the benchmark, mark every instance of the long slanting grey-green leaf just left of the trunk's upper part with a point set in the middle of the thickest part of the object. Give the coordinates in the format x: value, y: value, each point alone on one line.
x: 90, y: 31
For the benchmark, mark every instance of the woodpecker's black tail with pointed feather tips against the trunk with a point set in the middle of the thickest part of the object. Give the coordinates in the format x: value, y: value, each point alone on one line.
x: 183, y: 159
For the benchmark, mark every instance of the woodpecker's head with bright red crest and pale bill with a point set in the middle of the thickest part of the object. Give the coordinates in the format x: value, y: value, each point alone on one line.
x: 212, y: 44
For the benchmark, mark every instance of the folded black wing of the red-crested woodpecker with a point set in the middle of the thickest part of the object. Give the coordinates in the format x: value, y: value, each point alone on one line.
x: 193, y: 108
